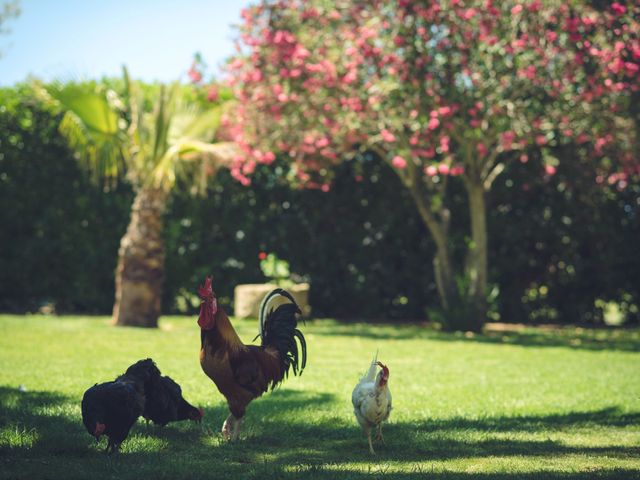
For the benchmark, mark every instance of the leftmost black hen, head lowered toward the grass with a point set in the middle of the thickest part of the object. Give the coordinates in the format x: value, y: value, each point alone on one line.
x: 111, y: 409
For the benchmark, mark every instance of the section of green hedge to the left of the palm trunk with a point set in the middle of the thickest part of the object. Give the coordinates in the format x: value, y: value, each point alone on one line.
x: 60, y: 233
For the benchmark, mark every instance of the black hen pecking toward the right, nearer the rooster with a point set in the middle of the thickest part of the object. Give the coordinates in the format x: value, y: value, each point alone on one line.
x: 163, y: 396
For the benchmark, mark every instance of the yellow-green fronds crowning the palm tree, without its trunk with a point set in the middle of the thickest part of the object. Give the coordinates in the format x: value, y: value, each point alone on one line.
x: 158, y: 144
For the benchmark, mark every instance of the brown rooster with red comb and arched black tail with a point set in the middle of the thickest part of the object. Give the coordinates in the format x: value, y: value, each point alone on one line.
x: 244, y: 372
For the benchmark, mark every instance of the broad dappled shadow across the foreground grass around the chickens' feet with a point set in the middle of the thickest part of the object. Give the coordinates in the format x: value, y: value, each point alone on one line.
x: 279, y: 442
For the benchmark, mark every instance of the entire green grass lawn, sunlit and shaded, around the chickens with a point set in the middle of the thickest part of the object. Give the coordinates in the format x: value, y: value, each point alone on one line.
x: 527, y: 404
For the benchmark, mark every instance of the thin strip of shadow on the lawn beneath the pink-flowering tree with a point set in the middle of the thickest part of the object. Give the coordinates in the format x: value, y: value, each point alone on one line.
x: 570, y: 337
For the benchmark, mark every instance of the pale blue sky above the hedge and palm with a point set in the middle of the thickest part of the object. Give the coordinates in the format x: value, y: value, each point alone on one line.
x: 80, y: 39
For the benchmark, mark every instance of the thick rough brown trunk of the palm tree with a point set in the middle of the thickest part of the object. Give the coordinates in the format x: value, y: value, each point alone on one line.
x: 140, y: 270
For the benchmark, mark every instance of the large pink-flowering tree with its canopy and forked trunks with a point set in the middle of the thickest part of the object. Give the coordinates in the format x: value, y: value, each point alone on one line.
x: 443, y: 91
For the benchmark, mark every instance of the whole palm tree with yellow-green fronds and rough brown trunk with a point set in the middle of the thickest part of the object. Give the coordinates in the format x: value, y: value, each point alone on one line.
x: 152, y: 143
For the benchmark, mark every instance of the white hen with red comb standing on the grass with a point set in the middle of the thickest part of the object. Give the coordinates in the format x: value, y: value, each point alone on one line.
x: 372, y: 400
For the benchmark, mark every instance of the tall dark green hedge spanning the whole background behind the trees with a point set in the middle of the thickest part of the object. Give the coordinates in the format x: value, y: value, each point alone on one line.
x: 557, y: 244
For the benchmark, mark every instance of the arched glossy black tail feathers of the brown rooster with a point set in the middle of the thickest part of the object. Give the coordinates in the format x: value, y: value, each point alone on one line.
x: 278, y: 329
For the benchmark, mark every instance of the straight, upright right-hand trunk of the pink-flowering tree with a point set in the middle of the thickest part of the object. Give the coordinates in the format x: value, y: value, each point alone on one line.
x: 477, y: 257
